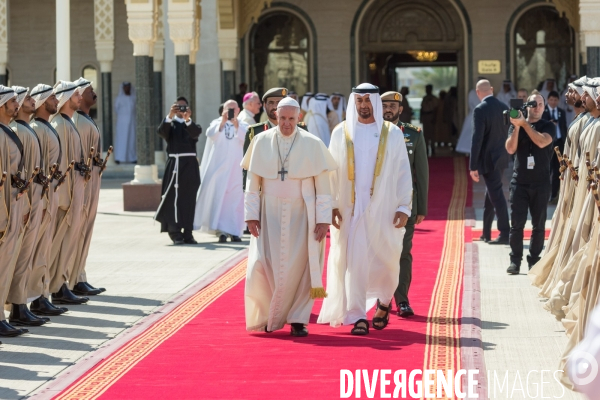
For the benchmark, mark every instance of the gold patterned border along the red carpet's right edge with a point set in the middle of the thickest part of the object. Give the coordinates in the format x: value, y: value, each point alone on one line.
x: 442, y: 345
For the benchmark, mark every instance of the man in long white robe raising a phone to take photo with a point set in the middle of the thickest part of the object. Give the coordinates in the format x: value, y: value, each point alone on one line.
x: 220, y: 203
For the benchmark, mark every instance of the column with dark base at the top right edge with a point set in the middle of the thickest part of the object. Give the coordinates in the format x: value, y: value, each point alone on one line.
x: 589, y: 14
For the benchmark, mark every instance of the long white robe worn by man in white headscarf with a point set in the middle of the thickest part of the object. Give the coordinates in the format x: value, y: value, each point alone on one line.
x: 364, y: 258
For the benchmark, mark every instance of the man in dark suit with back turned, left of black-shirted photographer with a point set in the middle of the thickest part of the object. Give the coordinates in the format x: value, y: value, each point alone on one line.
x: 488, y: 154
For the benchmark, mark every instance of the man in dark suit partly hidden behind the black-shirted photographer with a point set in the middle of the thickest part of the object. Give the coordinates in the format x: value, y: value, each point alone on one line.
x: 558, y: 117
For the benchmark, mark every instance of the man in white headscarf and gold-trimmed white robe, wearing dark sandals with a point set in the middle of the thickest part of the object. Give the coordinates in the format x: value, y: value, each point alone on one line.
x: 372, y: 195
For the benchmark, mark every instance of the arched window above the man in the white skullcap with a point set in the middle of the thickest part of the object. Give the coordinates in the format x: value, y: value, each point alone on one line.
x: 280, y: 53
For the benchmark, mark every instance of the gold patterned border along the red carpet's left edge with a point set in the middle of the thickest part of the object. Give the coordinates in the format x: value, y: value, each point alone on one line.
x: 113, y: 368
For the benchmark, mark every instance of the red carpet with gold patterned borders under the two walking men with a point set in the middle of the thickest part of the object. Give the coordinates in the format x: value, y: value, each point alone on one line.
x: 202, y: 351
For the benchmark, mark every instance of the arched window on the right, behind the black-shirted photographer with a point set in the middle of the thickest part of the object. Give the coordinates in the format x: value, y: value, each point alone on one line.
x: 544, y: 47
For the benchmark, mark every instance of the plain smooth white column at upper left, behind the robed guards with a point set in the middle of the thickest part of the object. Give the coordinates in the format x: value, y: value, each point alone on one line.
x: 63, y: 40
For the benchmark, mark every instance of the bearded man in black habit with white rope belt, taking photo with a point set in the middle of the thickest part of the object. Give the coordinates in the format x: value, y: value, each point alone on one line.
x: 182, y: 178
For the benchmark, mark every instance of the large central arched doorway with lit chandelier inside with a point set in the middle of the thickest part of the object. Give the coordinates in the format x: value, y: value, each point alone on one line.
x: 407, y: 43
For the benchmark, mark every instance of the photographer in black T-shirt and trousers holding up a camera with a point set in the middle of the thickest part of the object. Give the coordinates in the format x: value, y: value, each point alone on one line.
x: 530, y: 140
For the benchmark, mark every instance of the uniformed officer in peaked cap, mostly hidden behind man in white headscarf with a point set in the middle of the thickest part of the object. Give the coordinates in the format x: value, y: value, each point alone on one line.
x: 419, y: 167
